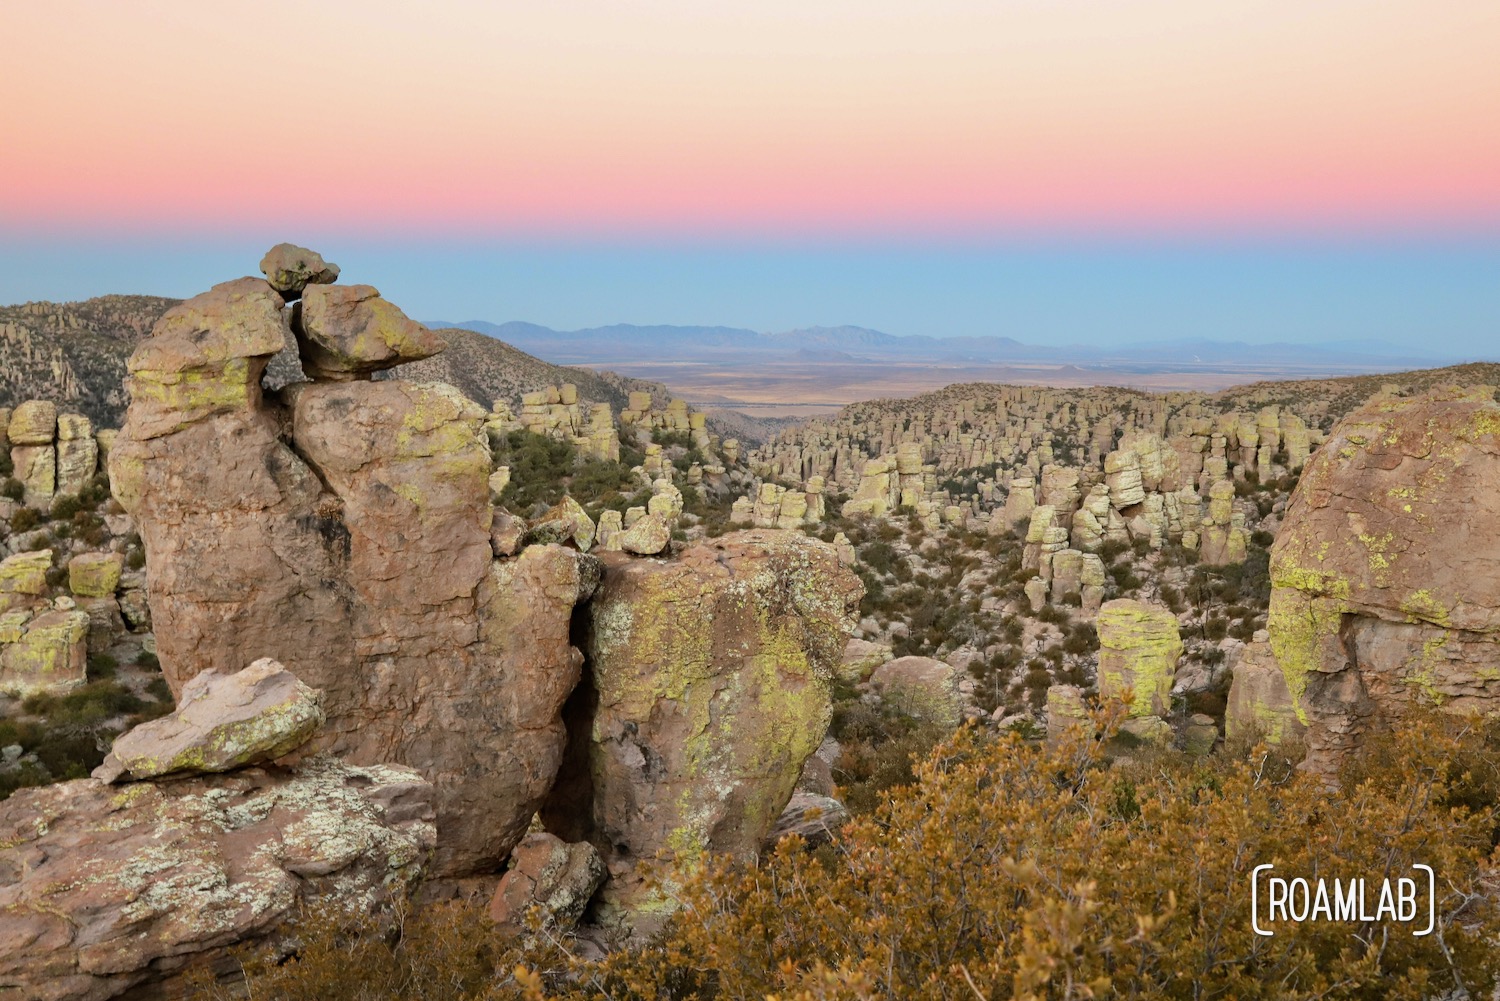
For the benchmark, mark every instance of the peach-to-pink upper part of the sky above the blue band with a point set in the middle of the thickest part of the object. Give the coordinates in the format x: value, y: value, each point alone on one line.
x: 758, y: 119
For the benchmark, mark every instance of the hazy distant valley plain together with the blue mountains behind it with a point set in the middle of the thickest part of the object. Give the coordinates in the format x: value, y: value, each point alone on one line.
x: 820, y: 370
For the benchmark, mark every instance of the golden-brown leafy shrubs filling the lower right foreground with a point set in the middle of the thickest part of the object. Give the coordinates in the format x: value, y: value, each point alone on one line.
x: 1016, y: 870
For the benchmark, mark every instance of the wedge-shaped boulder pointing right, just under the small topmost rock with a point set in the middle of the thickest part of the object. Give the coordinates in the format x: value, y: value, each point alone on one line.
x: 349, y: 332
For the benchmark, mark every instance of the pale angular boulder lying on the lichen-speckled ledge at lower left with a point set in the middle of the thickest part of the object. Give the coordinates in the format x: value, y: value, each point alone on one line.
x: 223, y: 723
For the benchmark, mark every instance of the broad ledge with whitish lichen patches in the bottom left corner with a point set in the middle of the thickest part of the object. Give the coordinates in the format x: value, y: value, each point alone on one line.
x: 107, y: 888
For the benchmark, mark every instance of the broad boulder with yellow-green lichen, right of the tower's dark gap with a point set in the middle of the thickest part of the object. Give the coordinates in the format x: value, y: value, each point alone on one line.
x: 710, y: 685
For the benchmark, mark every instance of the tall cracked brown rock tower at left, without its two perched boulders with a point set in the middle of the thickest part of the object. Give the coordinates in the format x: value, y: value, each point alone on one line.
x: 344, y: 531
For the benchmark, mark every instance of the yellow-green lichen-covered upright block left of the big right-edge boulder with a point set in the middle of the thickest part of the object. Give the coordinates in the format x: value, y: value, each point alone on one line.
x: 1139, y: 651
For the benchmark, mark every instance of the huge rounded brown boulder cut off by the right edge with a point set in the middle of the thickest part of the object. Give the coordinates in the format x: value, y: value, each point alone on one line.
x: 1387, y: 571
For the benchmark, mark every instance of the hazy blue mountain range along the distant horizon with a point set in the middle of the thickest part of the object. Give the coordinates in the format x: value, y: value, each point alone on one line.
x: 604, y: 346
